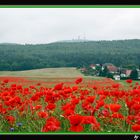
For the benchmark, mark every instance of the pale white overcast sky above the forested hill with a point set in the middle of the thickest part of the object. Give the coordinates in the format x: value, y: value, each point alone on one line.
x: 45, y: 25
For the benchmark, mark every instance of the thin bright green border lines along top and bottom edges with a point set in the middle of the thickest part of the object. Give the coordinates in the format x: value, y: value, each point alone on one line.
x: 69, y: 6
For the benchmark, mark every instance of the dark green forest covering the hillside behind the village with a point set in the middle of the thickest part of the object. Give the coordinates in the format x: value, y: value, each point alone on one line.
x: 69, y: 54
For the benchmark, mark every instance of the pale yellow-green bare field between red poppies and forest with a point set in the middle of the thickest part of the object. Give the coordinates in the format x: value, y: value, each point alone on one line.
x: 47, y: 73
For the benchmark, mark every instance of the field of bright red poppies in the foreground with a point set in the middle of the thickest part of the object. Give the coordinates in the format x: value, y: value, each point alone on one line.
x: 69, y: 105
